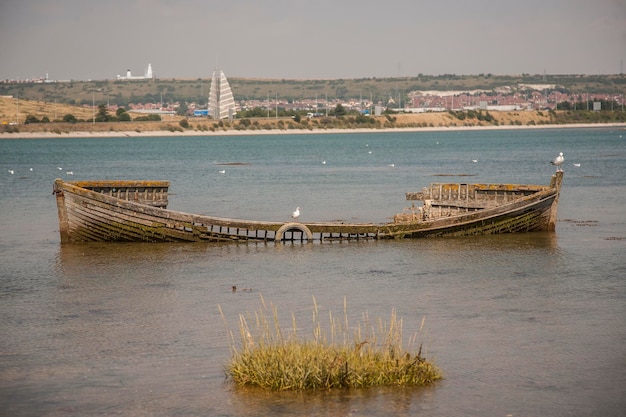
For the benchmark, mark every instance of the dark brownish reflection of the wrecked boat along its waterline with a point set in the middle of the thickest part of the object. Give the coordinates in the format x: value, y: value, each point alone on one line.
x: 140, y: 259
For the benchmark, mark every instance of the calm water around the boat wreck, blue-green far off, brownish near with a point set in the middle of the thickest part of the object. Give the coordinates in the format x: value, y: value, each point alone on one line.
x: 520, y: 325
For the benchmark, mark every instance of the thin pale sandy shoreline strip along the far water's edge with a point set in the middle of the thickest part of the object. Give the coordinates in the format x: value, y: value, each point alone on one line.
x: 264, y: 132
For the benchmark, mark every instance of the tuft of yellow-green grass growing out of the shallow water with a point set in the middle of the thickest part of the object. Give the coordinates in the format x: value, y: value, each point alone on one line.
x: 367, y: 355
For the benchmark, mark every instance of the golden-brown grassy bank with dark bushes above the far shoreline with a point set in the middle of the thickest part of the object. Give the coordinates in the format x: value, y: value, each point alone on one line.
x: 12, y: 109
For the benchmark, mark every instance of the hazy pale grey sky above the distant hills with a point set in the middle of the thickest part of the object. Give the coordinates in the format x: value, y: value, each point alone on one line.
x: 86, y: 39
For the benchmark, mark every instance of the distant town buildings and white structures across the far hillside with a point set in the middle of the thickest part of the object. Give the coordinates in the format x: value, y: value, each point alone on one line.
x: 516, y: 97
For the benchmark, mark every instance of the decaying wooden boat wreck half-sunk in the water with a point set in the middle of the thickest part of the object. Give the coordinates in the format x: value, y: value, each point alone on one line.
x: 134, y: 211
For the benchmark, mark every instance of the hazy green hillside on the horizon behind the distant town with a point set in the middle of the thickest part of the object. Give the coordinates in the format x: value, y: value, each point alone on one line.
x: 122, y: 92
